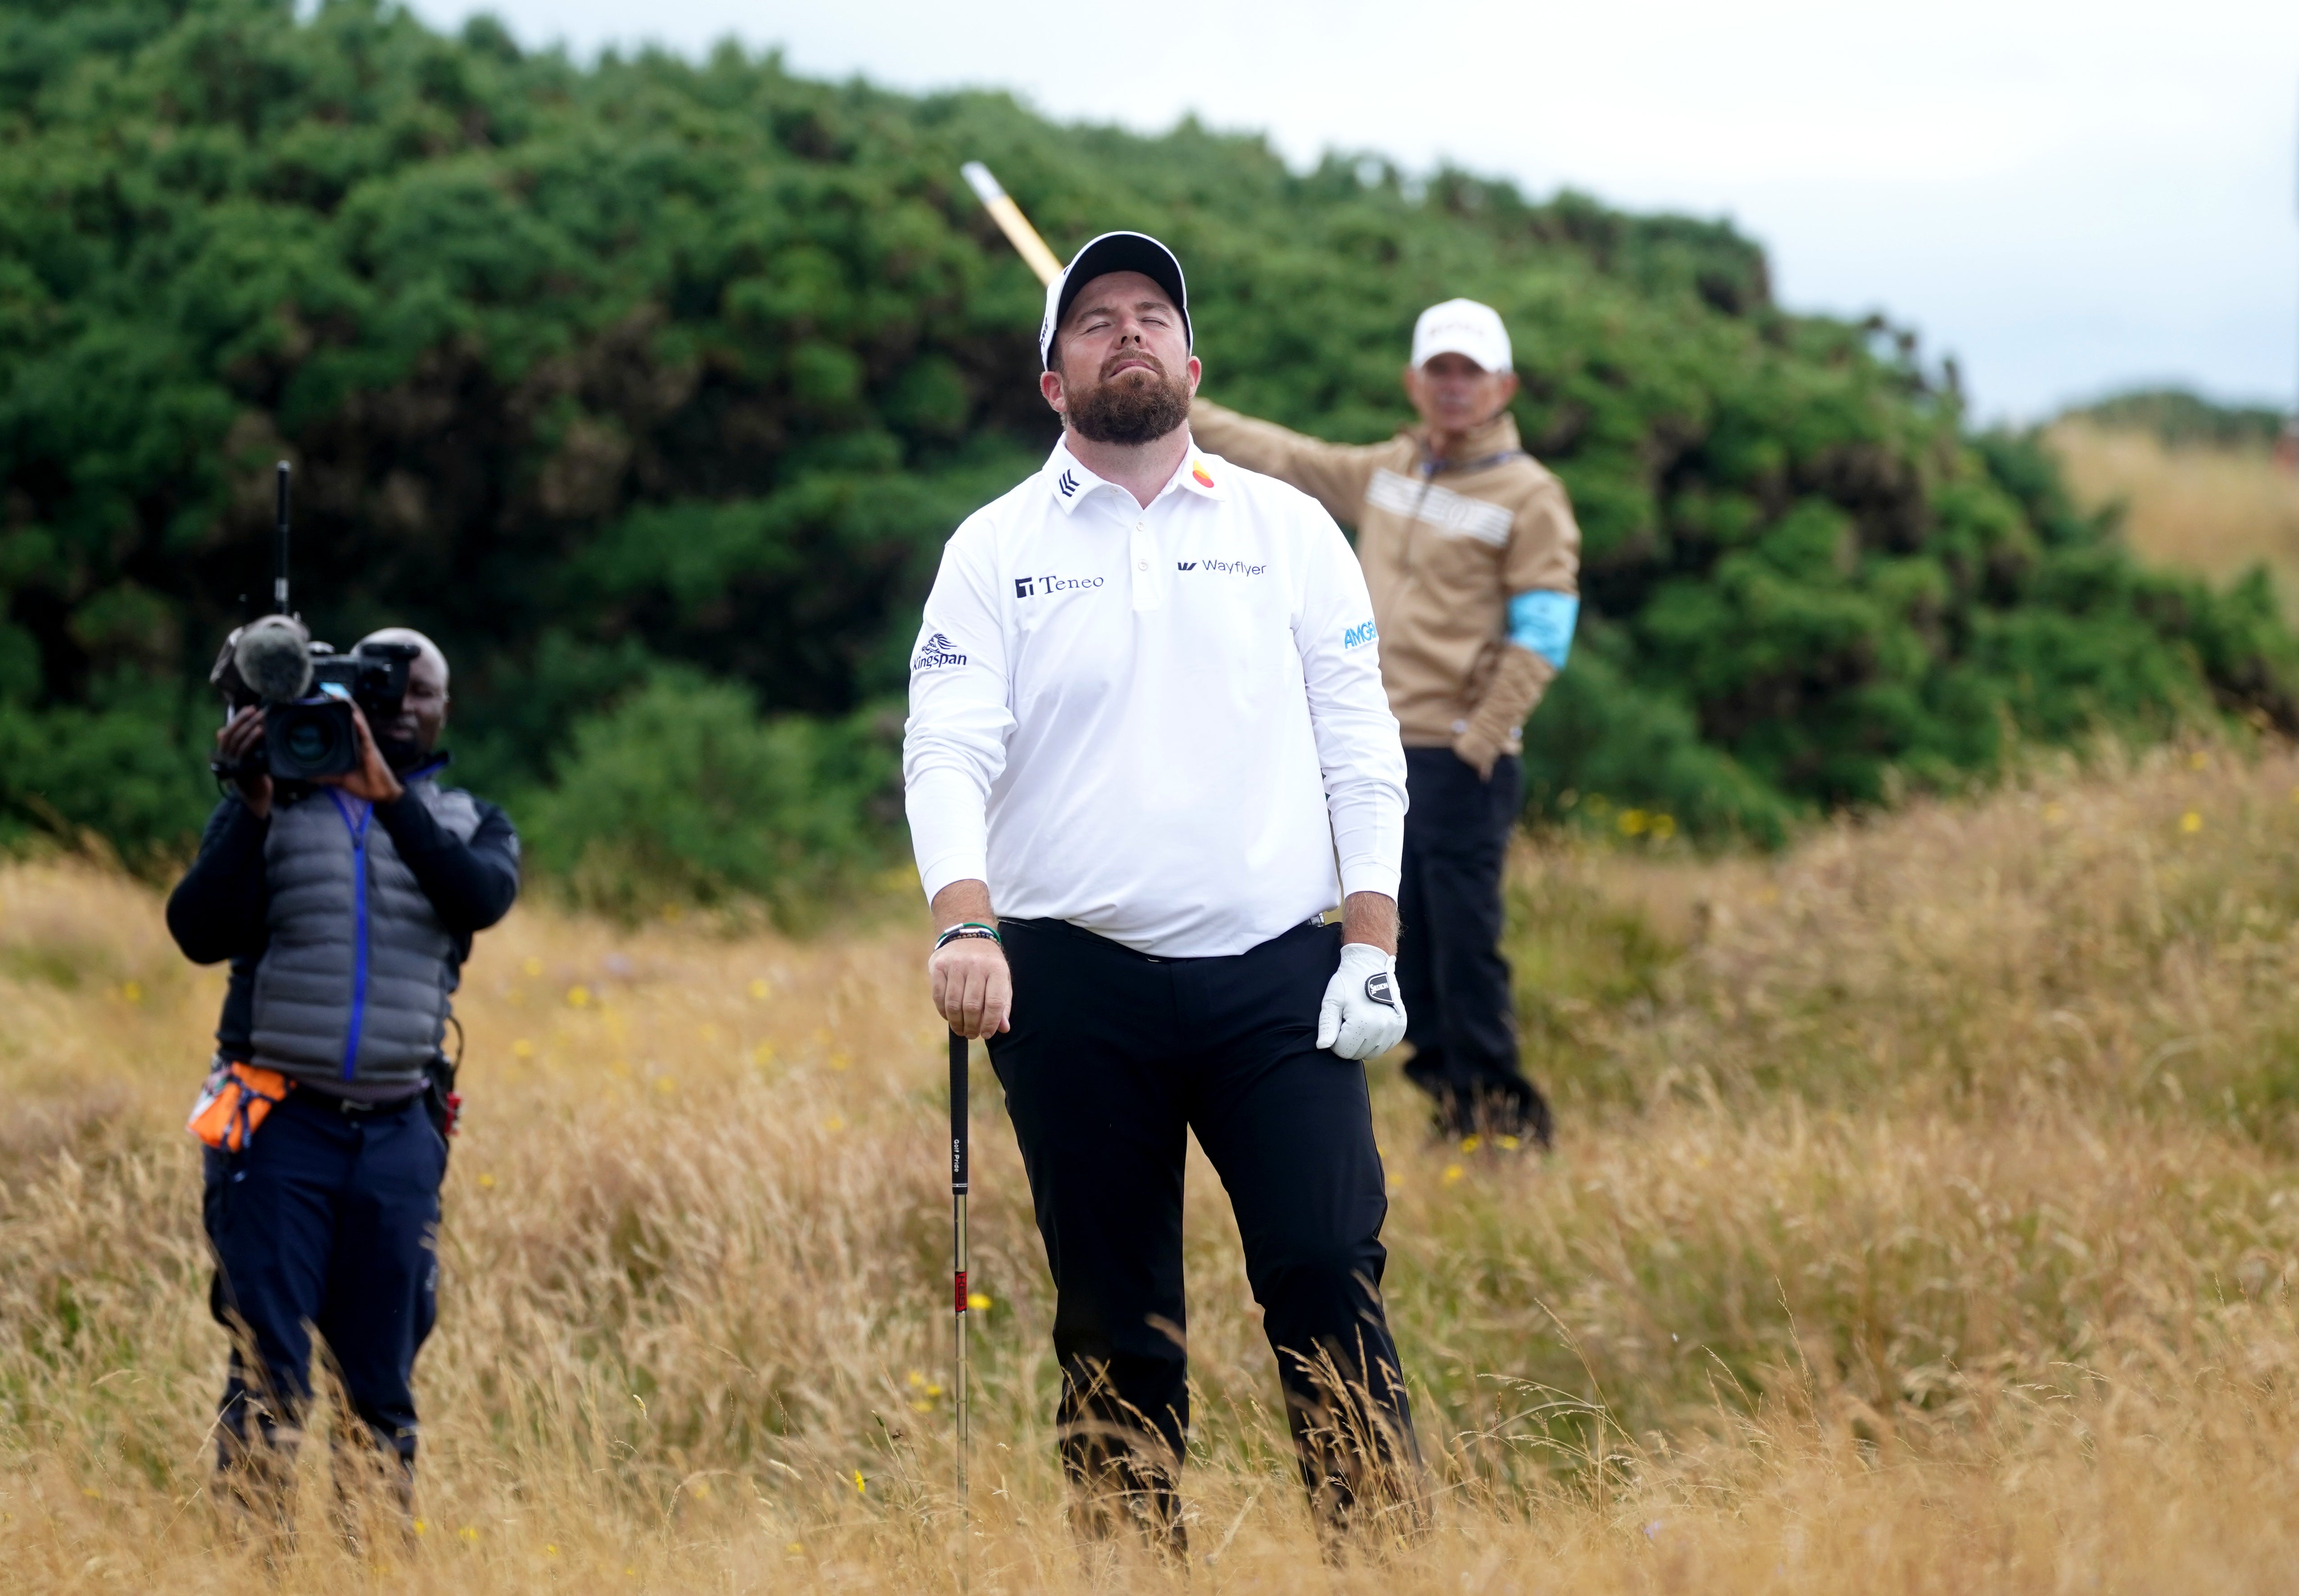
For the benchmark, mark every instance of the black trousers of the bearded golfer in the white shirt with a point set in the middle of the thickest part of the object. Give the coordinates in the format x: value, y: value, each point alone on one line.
x: 1112, y: 1061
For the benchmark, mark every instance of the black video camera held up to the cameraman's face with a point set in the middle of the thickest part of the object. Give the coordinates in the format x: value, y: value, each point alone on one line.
x: 307, y: 693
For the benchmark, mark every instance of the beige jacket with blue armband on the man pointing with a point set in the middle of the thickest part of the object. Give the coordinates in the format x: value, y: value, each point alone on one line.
x: 1445, y: 551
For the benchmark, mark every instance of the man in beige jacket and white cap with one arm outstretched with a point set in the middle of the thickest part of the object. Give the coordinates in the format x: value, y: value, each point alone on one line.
x: 1473, y: 560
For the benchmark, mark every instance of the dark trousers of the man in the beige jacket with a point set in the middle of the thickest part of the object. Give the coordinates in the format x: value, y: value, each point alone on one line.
x: 1452, y: 974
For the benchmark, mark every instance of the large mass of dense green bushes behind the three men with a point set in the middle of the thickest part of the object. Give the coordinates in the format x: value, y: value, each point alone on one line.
x: 597, y: 371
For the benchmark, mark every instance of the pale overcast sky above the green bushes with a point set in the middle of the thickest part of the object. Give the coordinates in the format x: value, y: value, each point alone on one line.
x: 2063, y: 197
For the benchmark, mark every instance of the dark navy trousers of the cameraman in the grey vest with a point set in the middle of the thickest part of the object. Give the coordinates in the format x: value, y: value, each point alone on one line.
x: 328, y: 1220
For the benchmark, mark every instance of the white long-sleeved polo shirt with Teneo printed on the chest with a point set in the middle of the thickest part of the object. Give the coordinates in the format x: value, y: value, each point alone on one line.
x: 1162, y: 723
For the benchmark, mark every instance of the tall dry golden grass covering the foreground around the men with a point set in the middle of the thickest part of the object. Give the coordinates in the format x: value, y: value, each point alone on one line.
x: 1928, y: 1222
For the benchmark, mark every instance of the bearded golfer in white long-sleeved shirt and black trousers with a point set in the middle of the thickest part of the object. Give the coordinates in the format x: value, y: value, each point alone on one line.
x: 1148, y: 726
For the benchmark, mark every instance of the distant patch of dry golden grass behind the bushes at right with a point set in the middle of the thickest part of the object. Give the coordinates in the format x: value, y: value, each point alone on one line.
x: 2215, y: 512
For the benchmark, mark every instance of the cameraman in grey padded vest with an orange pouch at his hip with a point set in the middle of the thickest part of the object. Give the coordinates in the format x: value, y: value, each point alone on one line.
x: 346, y: 912
